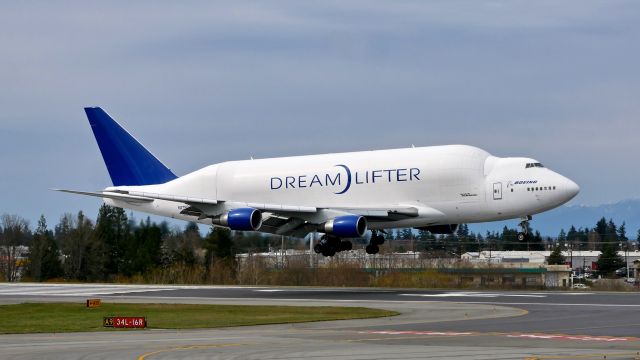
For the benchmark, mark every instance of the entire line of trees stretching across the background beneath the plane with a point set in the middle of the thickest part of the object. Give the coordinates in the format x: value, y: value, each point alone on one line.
x: 116, y: 247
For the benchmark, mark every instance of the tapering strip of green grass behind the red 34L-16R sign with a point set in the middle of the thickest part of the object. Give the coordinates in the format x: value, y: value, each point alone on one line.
x: 68, y: 317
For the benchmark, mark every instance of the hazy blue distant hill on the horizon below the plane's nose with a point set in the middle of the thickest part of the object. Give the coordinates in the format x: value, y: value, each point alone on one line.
x: 550, y: 223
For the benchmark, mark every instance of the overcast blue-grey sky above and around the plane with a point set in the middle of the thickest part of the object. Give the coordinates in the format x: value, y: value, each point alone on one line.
x: 203, y: 82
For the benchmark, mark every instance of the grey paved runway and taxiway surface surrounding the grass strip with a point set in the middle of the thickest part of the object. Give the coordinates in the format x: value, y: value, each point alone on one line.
x: 433, y: 325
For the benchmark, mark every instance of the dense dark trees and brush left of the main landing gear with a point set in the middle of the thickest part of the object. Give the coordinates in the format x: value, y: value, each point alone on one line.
x: 116, y: 248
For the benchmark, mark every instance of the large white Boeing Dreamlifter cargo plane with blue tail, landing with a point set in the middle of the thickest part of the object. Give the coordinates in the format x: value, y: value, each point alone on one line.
x: 341, y: 195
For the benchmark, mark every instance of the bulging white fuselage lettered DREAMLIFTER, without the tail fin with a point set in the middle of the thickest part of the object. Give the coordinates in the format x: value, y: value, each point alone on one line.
x: 450, y: 184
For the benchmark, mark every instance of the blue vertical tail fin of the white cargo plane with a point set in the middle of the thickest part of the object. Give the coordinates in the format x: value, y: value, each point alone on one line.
x: 128, y: 162
